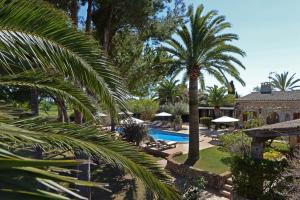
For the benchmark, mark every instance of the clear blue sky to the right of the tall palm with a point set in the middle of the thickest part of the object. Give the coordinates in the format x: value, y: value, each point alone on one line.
x: 269, y: 32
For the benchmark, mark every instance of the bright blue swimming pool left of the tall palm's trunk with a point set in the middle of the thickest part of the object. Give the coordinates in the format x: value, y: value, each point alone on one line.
x: 158, y: 134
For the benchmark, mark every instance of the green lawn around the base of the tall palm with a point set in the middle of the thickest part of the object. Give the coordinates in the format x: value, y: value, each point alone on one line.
x: 214, y: 159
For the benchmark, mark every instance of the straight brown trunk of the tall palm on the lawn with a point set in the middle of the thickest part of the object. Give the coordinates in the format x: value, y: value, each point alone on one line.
x: 193, y: 154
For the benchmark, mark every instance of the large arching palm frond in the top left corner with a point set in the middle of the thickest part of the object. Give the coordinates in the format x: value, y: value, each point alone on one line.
x: 33, y: 34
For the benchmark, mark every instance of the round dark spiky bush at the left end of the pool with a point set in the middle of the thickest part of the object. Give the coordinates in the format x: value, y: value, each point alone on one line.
x: 134, y: 132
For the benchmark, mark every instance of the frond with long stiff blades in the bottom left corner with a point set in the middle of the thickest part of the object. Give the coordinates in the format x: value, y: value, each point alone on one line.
x: 19, y: 175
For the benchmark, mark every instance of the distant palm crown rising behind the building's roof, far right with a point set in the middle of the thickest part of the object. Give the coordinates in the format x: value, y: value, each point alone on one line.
x: 283, y: 82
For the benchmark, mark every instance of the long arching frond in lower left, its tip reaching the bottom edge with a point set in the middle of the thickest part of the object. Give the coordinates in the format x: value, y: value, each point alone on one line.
x: 89, y: 140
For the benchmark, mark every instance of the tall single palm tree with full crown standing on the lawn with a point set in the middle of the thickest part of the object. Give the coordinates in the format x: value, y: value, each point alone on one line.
x: 203, y: 47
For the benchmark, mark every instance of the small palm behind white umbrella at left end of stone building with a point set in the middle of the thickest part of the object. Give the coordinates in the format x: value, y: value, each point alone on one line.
x: 217, y: 97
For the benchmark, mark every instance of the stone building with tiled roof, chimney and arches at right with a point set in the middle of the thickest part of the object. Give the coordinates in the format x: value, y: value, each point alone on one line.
x: 269, y: 106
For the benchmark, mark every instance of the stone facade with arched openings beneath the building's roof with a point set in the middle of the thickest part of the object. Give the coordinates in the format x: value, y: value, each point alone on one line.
x: 284, y: 109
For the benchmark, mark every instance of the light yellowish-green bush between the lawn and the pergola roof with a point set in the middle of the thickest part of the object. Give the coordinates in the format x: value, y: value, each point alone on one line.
x: 238, y: 143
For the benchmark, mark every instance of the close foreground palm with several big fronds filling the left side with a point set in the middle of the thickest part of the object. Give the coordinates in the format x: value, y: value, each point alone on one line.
x: 40, y: 49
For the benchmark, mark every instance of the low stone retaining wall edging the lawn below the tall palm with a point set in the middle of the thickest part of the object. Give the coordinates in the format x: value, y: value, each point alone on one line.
x: 214, y: 181
